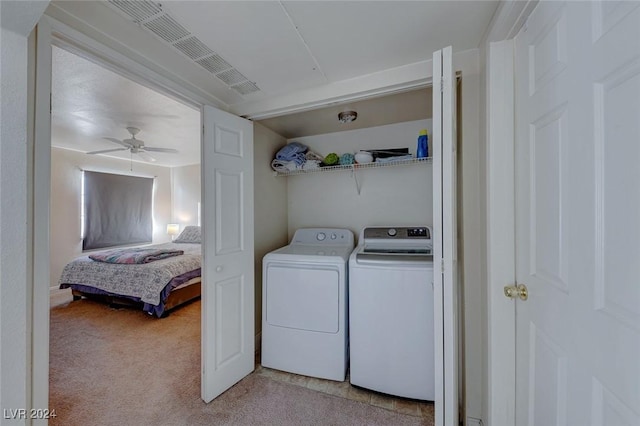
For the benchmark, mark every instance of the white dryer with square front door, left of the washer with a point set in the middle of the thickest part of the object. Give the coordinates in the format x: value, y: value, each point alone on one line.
x: 304, y: 304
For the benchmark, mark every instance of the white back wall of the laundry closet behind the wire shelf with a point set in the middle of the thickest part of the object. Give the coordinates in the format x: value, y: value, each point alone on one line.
x: 400, y: 196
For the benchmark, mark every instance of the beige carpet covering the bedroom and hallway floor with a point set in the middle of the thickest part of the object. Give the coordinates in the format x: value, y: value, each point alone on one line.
x: 121, y: 367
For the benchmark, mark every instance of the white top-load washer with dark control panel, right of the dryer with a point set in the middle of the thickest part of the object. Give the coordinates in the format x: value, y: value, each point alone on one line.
x: 391, y: 312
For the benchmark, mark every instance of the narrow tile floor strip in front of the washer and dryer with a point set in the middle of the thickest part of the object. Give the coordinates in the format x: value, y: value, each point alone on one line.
x: 346, y: 390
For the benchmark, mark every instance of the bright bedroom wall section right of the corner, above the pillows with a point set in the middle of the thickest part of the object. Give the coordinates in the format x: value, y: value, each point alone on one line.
x: 185, y: 183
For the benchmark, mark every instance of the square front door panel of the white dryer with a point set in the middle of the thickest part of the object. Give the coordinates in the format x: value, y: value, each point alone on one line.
x: 304, y: 297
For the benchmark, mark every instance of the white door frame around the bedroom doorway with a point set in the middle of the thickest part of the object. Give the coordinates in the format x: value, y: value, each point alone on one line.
x: 51, y: 32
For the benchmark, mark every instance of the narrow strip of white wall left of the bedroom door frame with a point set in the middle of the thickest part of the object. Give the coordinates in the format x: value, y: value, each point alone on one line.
x: 17, y: 19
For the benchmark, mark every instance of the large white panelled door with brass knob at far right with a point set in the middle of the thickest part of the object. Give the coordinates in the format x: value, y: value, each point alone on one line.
x: 578, y: 214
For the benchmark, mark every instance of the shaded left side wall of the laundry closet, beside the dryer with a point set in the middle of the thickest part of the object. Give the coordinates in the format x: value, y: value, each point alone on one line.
x: 270, y: 209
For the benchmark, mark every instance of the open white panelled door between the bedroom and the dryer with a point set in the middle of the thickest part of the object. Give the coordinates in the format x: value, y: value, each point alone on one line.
x: 227, y: 275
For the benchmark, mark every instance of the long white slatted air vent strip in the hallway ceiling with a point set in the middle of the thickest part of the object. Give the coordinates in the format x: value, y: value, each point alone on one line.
x: 150, y: 16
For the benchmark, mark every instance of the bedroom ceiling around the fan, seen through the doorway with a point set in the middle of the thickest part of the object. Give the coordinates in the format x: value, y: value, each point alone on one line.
x: 90, y: 103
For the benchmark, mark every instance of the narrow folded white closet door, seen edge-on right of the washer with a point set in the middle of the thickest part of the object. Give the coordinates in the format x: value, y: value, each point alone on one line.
x: 444, y: 236
